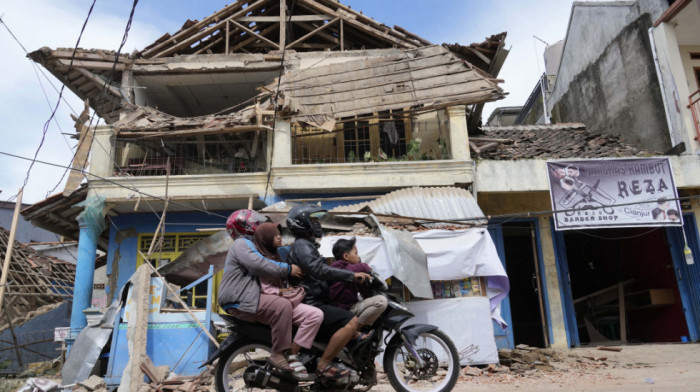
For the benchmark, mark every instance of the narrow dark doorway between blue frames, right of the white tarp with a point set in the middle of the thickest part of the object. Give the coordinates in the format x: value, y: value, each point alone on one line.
x: 525, y: 300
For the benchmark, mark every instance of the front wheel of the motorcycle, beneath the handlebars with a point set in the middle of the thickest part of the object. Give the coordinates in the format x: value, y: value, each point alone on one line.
x: 440, y: 368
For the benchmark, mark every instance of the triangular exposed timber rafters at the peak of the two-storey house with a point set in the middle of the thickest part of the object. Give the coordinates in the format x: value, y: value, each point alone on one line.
x: 251, y: 26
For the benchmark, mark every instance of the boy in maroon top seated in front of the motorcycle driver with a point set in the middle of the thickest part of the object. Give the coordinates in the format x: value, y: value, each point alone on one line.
x: 344, y: 294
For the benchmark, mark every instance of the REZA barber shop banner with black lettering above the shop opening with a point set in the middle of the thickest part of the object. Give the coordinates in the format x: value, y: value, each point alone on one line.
x: 604, y: 193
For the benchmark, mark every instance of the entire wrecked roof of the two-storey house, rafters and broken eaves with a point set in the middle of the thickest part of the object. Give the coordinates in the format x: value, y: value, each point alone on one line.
x: 249, y: 35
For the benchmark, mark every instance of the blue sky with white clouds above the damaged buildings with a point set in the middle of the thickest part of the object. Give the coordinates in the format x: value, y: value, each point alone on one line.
x: 29, y: 93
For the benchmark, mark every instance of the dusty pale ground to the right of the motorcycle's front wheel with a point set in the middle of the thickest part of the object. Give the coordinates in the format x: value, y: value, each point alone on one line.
x: 651, y: 367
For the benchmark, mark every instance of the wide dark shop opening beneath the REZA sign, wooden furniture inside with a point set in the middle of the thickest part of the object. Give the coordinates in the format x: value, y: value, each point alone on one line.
x: 623, y: 286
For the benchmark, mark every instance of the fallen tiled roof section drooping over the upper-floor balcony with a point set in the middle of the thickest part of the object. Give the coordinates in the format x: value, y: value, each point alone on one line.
x: 426, y: 78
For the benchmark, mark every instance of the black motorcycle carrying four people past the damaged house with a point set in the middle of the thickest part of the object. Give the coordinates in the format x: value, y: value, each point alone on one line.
x: 418, y: 357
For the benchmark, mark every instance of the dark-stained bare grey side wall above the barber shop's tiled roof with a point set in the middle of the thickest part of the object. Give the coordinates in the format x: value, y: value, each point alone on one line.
x: 617, y: 93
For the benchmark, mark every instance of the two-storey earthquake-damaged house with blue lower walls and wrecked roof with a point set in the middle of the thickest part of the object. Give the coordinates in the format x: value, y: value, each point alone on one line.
x: 257, y: 104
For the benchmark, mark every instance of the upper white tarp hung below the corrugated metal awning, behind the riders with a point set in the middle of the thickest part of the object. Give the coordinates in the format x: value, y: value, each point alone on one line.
x: 451, y: 254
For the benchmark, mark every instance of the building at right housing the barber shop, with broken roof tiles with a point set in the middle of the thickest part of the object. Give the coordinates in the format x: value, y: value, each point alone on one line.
x: 623, y: 83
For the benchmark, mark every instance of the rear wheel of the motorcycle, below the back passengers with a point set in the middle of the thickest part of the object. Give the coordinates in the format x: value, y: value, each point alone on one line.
x: 232, y: 365
